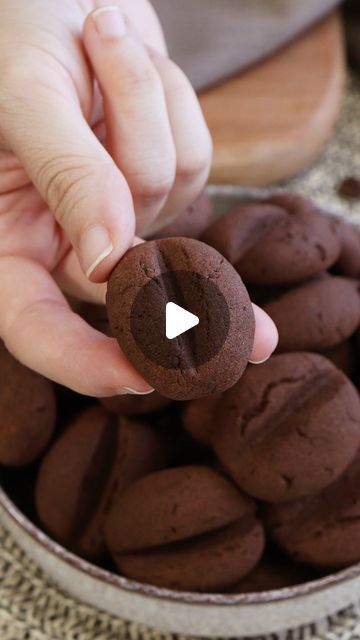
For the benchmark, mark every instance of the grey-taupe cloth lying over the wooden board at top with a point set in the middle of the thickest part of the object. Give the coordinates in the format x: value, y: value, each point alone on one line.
x: 211, y: 39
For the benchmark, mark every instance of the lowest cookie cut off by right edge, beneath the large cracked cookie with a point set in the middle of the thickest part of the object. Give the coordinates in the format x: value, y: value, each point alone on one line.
x: 322, y: 530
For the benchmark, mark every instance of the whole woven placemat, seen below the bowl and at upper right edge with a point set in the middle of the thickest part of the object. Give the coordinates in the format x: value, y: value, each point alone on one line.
x: 33, y: 608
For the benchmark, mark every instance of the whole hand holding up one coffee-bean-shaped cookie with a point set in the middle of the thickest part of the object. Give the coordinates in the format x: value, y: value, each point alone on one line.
x: 71, y: 198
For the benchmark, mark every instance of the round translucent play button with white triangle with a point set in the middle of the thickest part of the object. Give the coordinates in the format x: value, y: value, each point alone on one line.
x: 179, y: 319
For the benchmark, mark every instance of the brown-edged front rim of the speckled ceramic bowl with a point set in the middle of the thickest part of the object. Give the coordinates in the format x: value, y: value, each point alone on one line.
x: 147, y: 590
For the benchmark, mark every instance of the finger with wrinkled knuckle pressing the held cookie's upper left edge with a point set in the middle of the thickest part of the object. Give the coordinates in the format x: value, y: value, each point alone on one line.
x: 75, y: 175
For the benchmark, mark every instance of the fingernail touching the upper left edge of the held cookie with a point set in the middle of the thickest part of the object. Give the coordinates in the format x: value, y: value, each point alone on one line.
x: 95, y: 246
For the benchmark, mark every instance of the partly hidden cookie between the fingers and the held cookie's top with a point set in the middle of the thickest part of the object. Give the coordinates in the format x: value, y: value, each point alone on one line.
x: 191, y: 223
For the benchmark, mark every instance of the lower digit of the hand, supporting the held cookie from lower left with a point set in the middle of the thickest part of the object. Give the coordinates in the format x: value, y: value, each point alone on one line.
x: 39, y: 328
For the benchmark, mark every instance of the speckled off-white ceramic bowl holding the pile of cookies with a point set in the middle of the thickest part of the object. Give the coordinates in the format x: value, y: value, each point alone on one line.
x: 204, y: 615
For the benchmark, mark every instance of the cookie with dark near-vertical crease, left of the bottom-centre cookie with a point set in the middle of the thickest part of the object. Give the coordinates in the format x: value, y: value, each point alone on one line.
x: 93, y: 460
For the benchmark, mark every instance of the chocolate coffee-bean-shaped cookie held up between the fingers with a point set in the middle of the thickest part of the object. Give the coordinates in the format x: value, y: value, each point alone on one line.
x: 211, y: 356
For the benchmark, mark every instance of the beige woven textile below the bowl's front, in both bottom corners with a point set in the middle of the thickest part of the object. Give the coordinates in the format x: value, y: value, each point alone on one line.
x: 32, y: 608
